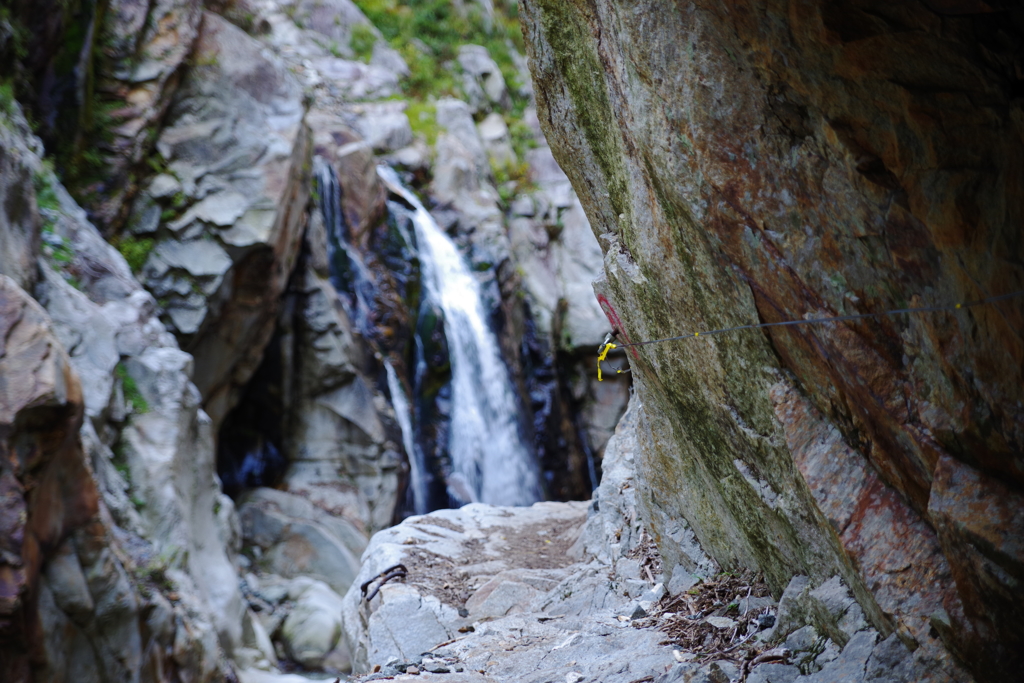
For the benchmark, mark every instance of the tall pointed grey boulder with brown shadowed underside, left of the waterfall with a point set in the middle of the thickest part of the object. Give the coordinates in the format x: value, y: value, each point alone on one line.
x: 229, y: 224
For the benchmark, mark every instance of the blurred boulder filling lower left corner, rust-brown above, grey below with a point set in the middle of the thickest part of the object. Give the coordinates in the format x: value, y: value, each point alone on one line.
x: 71, y: 606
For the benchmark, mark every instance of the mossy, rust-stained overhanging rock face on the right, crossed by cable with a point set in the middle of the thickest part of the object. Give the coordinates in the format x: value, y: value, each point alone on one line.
x: 760, y: 162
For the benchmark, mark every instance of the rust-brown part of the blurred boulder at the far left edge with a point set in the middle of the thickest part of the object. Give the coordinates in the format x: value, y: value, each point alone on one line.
x: 46, y: 488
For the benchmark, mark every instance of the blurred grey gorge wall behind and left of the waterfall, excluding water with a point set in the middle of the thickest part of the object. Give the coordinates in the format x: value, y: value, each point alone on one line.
x: 178, y: 341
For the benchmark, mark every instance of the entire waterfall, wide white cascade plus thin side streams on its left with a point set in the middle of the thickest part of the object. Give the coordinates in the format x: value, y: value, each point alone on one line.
x: 488, y: 460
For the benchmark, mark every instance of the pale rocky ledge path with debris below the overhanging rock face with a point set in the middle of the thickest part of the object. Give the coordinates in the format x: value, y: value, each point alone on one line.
x: 575, y: 592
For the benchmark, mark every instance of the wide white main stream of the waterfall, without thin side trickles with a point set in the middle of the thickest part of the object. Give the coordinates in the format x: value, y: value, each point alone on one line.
x: 488, y: 454
